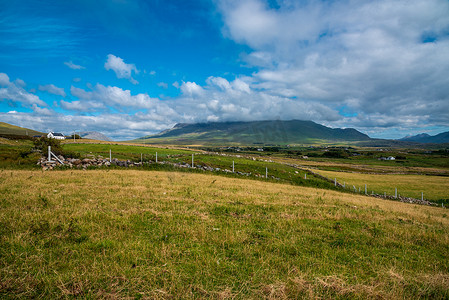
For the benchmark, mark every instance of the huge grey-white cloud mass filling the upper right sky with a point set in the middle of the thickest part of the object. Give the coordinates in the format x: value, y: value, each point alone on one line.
x: 370, y: 58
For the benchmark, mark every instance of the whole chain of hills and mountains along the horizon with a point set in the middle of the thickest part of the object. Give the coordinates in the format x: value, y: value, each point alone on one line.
x: 253, y: 133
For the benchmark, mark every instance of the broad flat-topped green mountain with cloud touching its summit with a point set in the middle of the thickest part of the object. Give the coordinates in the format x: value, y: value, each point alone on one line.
x: 257, y: 132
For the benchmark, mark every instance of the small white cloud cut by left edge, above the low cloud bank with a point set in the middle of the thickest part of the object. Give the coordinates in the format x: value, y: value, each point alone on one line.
x: 14, y: 92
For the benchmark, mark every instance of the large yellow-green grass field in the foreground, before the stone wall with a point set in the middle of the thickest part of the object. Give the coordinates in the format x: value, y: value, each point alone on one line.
x: 139, y: 234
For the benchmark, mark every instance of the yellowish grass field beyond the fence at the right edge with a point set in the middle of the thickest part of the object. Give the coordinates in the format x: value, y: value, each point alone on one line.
x: 434, y: 187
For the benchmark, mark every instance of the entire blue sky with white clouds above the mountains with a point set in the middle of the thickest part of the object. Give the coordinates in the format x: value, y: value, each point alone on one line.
x: 130, y: 68
